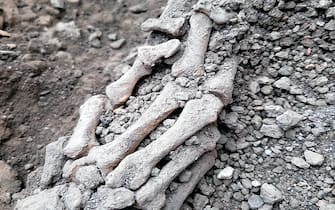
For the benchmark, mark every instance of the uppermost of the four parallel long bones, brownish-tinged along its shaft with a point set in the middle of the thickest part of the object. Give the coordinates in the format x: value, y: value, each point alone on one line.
x: 109, y: 155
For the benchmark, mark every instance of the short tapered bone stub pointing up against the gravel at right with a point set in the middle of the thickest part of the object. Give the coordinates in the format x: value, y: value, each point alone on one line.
x: 222, y: 84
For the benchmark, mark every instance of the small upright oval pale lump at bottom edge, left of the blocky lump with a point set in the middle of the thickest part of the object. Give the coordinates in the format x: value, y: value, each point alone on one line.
x: 72, y: 197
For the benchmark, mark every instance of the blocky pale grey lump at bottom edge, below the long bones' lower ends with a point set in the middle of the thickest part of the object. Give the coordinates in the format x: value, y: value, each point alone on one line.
x: 118, y: 198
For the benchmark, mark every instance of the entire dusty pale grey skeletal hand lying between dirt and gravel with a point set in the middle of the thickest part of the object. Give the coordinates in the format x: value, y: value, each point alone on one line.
x: 116, y: 169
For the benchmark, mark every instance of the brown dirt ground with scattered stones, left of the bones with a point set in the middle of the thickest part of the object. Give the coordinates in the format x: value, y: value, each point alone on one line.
x: 43, y: 83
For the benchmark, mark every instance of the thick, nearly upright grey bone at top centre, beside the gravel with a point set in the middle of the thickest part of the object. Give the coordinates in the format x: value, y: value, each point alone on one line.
x: 192, y: 61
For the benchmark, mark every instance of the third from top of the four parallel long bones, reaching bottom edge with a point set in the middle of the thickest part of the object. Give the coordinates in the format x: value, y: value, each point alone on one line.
x: 152, y: 194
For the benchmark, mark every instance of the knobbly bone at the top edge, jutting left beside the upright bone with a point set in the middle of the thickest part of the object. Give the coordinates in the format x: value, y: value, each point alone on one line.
x: 171, y: 20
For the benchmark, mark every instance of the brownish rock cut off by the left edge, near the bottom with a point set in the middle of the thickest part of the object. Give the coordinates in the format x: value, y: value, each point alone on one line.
x: 8, y: 179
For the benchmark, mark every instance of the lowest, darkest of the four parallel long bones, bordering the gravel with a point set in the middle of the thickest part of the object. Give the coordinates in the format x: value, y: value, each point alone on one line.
x: 176, y: 198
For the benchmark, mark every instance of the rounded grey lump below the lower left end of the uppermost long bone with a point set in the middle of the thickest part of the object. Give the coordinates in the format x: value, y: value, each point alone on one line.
x: 89, y: 176
